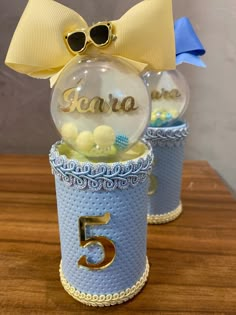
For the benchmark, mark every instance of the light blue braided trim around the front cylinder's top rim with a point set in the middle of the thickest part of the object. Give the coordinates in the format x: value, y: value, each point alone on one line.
x: 101, y: 176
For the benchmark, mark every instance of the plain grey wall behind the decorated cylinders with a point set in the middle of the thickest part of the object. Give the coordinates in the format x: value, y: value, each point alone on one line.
x: 25, y: 123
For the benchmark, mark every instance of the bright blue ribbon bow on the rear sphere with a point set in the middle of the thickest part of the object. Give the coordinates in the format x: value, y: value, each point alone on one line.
x: 188, y: 46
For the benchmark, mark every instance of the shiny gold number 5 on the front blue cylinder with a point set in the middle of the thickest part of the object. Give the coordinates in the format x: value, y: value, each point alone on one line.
x: 106, y: 244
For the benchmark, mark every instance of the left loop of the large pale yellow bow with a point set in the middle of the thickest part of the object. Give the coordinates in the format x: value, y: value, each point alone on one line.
x: 38, y: 48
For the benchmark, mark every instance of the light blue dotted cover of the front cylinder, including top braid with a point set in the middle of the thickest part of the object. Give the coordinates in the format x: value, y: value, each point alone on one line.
x: 88, y: 189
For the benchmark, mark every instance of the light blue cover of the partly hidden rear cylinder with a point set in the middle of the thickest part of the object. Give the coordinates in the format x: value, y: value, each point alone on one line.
x: 168, y: 148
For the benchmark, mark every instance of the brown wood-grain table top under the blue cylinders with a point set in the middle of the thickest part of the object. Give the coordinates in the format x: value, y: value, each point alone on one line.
x: 193, y: 260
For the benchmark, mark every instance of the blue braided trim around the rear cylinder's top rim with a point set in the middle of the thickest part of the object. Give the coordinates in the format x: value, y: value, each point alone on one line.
x: 167, y: 137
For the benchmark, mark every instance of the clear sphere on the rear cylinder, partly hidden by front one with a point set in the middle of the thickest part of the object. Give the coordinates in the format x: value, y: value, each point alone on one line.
x: 170, y: 96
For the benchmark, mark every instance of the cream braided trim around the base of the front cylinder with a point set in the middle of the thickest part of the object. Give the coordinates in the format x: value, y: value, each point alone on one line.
x: 108, y: 299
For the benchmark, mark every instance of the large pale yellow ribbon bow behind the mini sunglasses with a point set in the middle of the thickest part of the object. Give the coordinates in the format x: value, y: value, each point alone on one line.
x: 144, y: 36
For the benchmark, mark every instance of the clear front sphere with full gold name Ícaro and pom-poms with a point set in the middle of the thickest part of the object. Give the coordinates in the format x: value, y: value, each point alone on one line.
x: 100, y: 106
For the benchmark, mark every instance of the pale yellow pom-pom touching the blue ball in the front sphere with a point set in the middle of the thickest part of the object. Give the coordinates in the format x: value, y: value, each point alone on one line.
x: 104, y: 136
